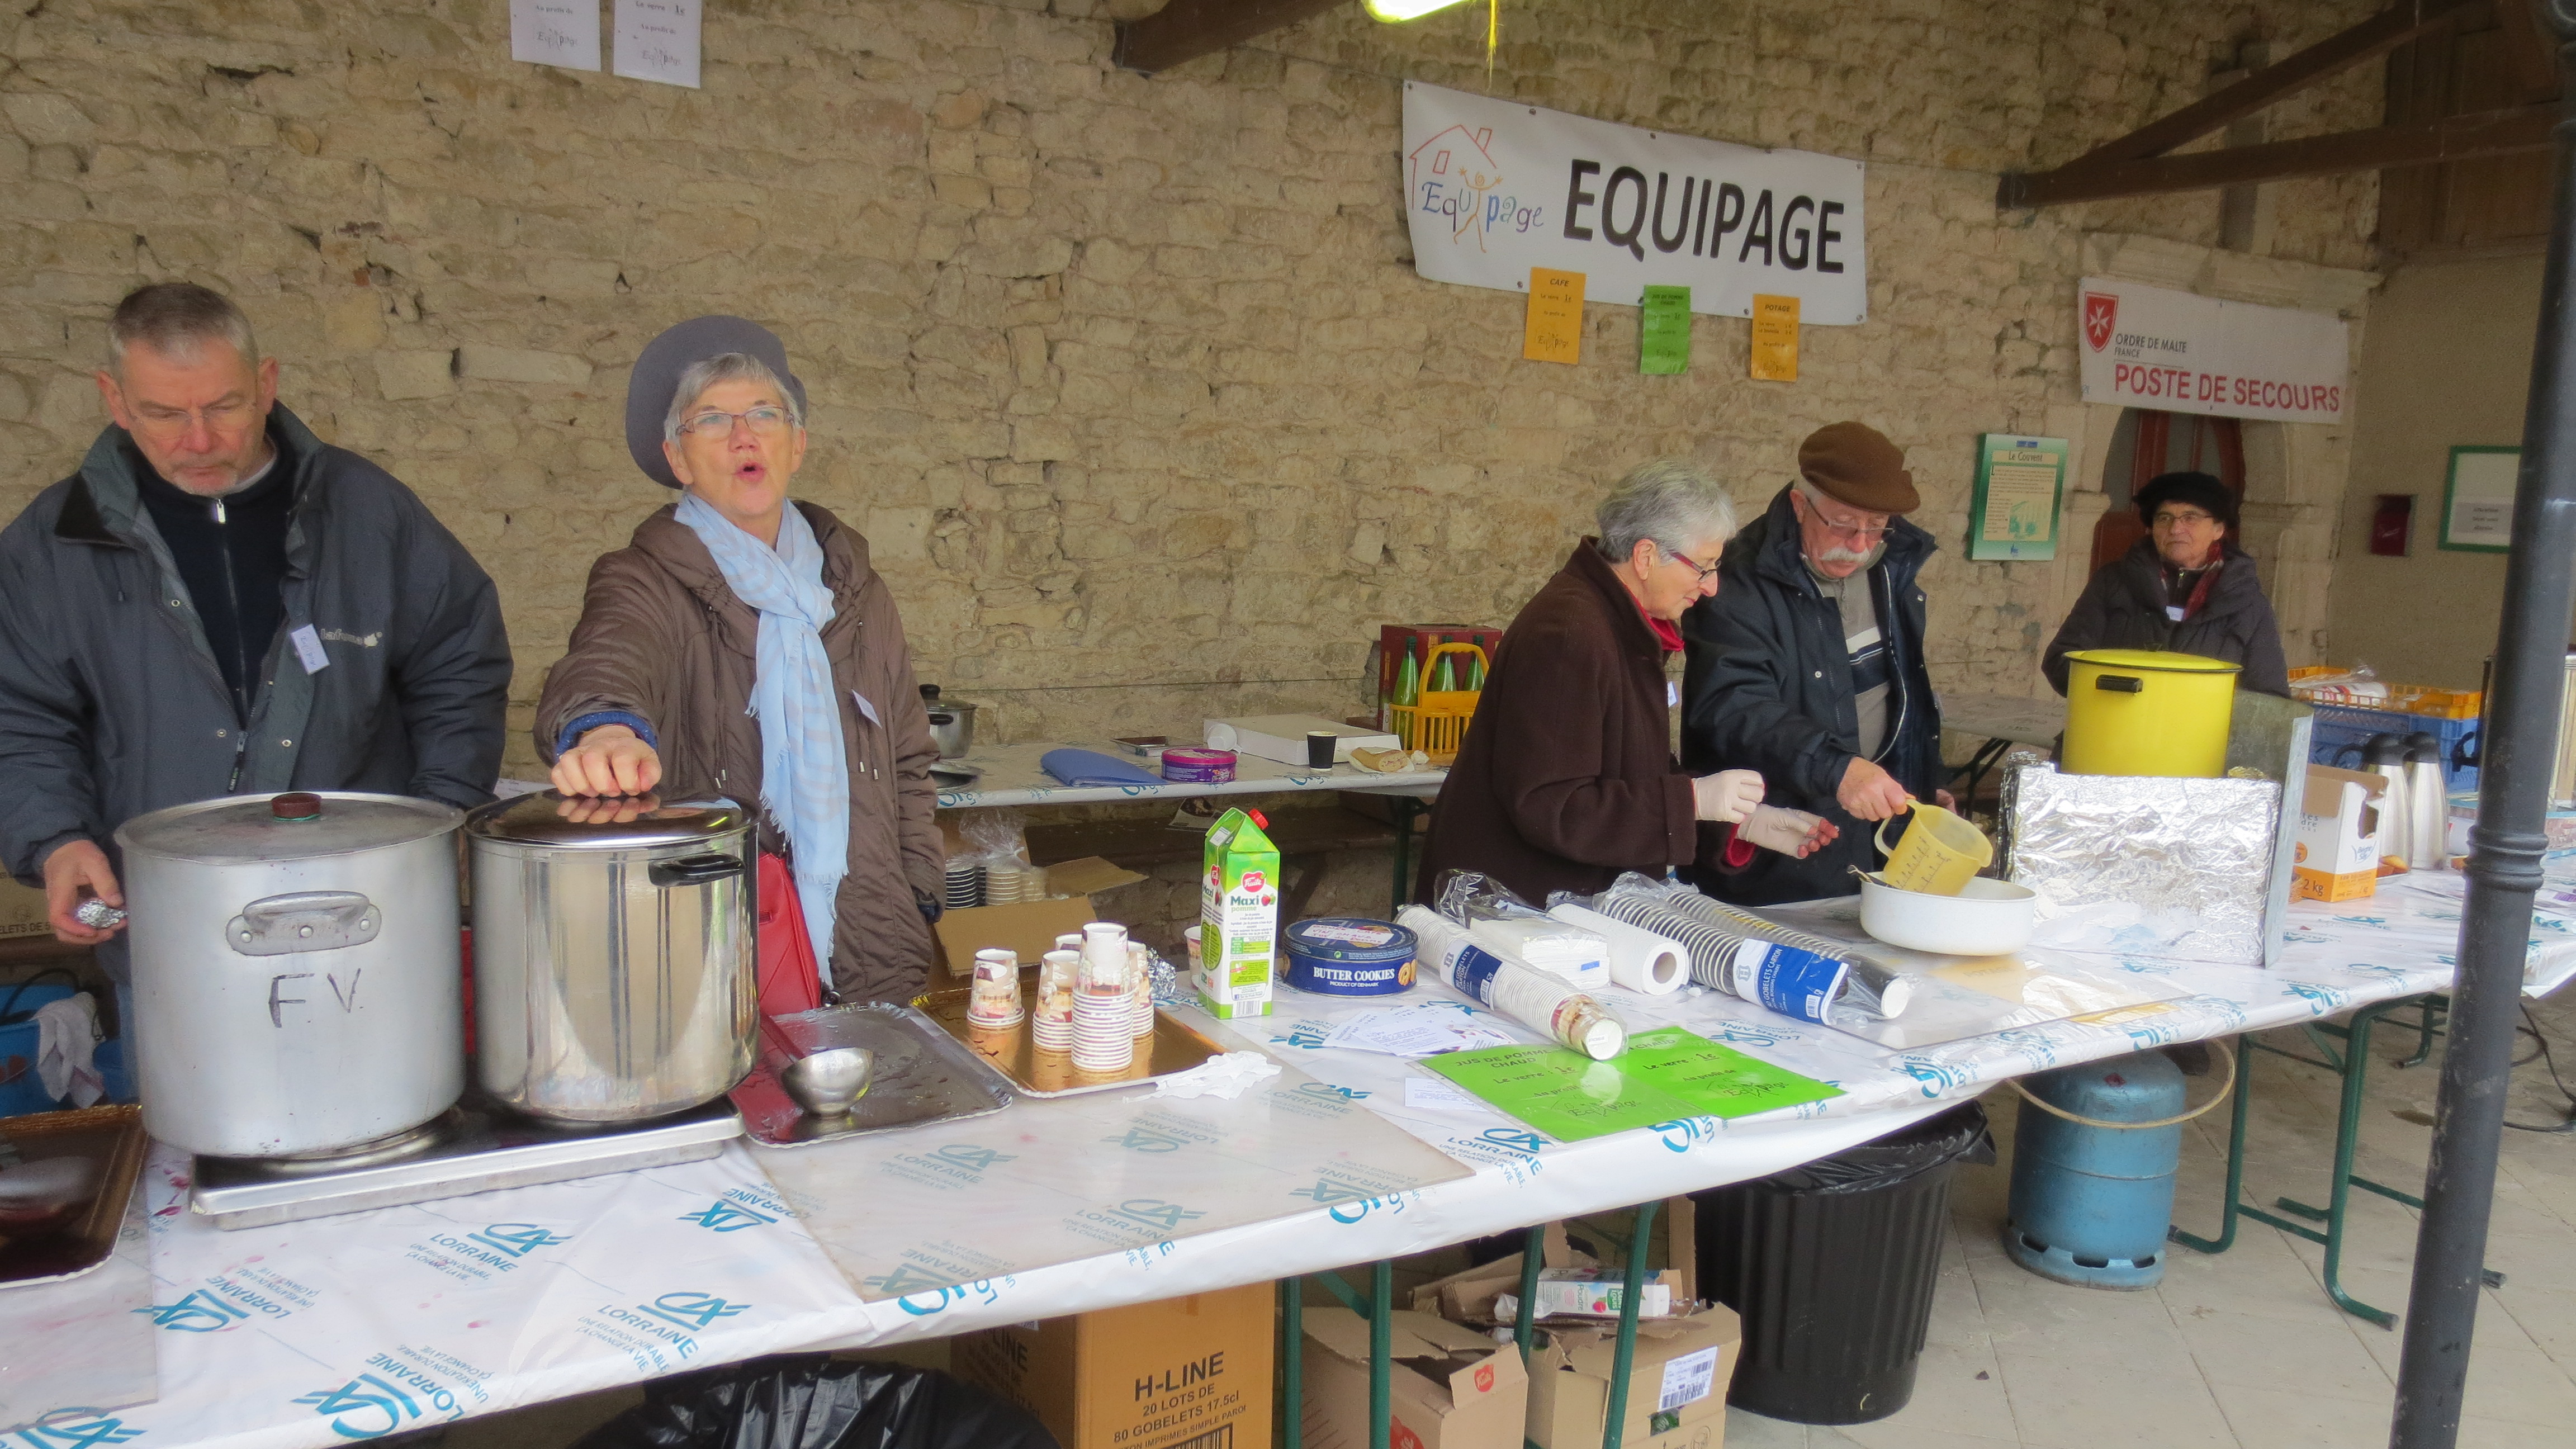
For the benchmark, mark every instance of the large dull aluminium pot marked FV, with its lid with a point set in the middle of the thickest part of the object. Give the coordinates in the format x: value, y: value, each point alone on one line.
x: 295, y: 971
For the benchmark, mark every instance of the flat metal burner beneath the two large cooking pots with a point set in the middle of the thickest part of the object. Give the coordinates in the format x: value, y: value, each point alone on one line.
x: 470, y: 1149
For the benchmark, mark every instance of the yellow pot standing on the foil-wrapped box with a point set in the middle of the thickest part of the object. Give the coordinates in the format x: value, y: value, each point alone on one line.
x: 2147, y: 713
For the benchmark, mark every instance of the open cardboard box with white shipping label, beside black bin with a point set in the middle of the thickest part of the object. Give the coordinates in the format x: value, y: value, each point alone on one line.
x: 1676, y: 1383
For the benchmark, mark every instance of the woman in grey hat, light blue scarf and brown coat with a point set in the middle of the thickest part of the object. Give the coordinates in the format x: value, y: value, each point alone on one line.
x: 743, y: 646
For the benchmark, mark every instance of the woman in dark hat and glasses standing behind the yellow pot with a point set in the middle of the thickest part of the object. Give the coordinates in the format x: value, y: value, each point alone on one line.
x: 2186, y: 587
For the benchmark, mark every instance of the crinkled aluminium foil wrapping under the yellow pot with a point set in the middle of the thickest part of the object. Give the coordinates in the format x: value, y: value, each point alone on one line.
x: 2191, y: 855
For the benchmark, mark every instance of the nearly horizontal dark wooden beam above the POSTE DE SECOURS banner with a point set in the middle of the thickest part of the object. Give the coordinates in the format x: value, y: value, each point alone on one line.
x: 2420, y: 143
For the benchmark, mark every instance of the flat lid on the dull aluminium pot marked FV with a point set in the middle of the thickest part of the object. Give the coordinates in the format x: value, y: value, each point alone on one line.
x: 298, y: 826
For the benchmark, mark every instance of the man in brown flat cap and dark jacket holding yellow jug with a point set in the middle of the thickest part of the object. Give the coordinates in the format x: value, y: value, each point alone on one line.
x: 1810, y: 666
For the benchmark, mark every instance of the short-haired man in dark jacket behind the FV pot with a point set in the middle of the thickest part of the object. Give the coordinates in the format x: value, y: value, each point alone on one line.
x: 223, y: 605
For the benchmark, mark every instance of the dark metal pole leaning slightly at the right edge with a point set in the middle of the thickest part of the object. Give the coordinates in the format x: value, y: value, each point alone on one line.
x: 2518, y: 759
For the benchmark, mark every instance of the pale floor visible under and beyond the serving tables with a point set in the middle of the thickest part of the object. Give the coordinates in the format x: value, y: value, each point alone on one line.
x: 2230, y: 1352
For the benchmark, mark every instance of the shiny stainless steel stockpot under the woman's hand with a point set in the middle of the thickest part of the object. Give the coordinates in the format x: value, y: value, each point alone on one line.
x: 614, y: 960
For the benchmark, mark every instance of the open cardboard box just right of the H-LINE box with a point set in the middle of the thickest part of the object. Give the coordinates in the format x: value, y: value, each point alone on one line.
x: 1452, y: 1388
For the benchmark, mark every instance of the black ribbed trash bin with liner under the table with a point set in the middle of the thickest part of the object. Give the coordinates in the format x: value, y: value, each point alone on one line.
x: 1833, y: 1270
